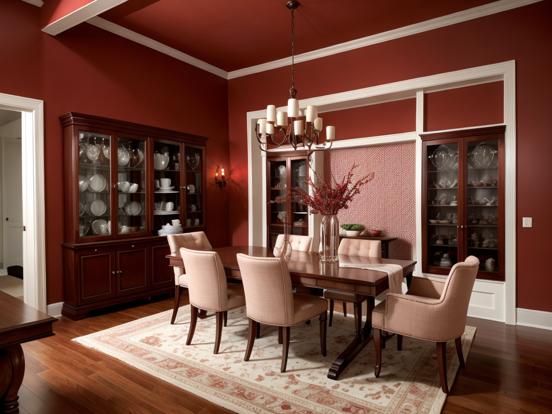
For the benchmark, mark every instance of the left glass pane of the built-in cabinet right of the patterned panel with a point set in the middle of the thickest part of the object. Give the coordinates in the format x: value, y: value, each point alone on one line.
x: 442, y: 204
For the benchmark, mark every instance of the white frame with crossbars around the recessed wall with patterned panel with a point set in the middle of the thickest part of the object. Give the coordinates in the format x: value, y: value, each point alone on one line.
x: 407, y: 89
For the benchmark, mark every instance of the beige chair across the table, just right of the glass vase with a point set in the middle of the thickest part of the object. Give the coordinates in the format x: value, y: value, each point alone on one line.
x: 353, y: 247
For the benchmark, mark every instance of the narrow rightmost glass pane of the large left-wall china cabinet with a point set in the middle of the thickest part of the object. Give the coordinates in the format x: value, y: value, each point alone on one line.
x: 194, y: 187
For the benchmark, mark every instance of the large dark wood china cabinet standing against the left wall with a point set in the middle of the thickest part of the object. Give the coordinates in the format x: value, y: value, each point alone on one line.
x: 126, y: 187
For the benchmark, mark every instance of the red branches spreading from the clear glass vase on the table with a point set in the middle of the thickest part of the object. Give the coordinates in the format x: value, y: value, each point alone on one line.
x: 329, y: 197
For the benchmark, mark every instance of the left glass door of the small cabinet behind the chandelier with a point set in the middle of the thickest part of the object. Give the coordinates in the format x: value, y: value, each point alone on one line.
x: 277, y: 198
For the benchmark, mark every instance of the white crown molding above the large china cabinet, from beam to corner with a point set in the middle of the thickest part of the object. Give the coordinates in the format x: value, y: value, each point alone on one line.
x: 155, y: 45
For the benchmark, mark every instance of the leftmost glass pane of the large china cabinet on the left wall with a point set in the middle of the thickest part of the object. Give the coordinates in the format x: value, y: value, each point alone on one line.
x: 94, y: 184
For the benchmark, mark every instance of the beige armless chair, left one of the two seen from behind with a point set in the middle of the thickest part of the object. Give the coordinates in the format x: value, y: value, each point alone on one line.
x: 208, y: 290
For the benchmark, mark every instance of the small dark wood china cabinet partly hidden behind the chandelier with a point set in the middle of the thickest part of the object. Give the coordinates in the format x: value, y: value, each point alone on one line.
x: 284, y: 173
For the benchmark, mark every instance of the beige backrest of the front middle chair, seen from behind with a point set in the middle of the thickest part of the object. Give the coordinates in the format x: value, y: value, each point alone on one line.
x: 268, y: 290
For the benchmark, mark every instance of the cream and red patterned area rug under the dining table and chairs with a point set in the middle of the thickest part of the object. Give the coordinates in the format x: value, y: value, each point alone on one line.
x: 408, y: 383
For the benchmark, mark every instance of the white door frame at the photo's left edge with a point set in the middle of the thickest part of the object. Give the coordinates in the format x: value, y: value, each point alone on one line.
x: 32, y: 167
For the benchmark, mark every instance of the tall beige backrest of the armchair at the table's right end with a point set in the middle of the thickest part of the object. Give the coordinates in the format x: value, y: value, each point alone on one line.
x: 457, y: 292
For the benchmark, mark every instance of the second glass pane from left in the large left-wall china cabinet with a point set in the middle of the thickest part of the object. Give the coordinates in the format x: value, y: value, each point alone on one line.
x: 131, y: 185
